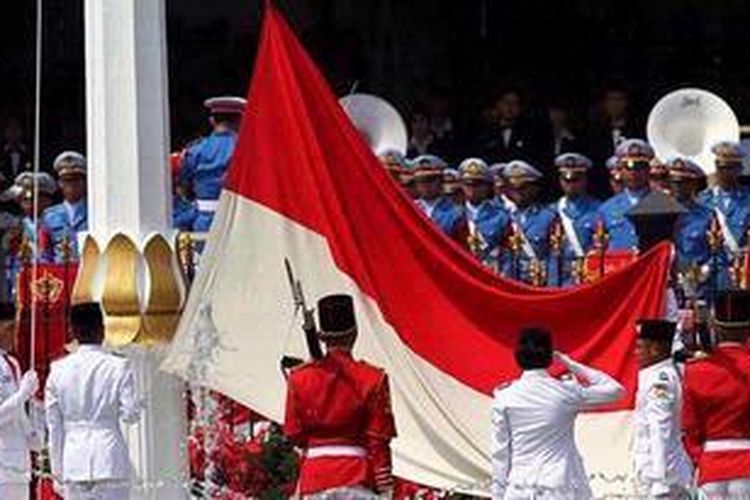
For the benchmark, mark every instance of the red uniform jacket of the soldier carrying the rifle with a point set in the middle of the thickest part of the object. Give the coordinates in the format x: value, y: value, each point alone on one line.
x: 340, y: 401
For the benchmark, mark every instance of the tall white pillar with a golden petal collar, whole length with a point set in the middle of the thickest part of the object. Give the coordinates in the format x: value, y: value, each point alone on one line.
x: 128, y: 260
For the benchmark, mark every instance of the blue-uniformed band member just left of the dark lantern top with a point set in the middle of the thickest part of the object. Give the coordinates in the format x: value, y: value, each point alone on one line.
x: 634, y: 156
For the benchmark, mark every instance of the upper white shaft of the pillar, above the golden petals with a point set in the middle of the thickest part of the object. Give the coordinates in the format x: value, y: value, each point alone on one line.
x: 127, y: 117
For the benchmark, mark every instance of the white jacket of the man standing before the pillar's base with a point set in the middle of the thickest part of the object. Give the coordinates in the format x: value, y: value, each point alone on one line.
x: 87, y: 394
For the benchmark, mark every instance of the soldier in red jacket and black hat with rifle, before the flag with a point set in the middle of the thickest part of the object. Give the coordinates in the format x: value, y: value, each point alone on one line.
x: 338, y: 411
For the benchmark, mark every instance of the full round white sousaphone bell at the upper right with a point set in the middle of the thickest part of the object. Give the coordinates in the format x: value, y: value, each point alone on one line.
x: 688, y: 122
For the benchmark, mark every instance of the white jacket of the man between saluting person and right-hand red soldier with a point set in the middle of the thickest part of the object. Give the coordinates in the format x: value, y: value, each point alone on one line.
x: 660, y: 459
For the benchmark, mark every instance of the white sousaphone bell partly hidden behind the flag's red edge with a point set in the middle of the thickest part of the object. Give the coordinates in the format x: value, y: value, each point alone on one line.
x: 377, y: 121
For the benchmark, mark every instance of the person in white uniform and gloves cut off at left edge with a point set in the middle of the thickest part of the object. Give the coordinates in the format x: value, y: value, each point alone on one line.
x: 16, y: 434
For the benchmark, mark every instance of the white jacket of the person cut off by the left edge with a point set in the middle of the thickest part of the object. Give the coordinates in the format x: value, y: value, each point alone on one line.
x: 15, y: 428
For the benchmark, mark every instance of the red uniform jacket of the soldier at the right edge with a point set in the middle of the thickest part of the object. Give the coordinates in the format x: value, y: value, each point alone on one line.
x: 717, y: 406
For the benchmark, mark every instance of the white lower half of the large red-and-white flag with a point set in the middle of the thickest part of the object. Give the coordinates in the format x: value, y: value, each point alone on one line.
x: 443, y: 425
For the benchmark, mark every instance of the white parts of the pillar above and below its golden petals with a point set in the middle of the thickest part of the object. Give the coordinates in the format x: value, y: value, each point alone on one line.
x: 130, y: 193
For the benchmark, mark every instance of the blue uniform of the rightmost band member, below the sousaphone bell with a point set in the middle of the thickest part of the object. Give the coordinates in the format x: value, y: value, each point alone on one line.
x: 735, y: 206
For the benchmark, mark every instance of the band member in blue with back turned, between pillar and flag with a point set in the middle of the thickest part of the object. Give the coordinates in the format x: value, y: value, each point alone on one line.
x: 206, y: 161
